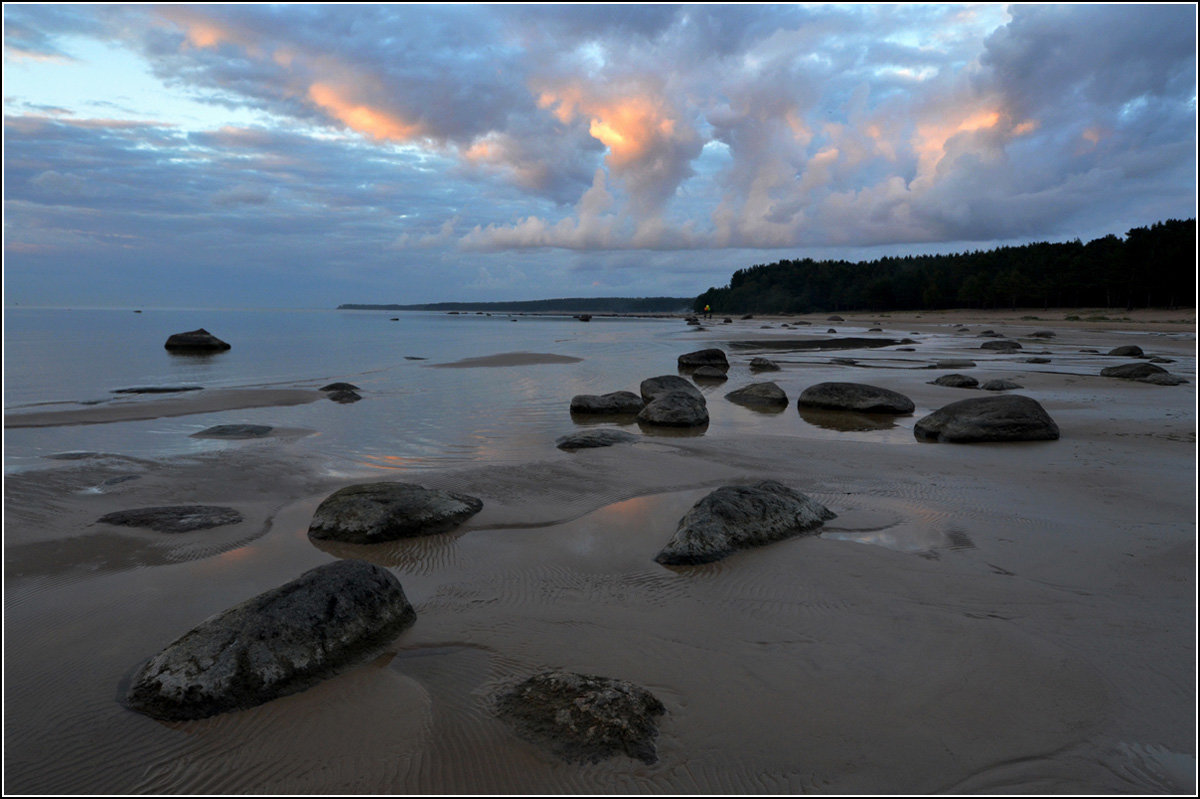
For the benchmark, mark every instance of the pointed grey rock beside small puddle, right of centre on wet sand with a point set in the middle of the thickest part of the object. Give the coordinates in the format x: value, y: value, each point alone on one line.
x: 740, y: 518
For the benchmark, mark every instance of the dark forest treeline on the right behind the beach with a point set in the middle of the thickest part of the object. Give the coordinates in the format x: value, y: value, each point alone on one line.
x: 1153, y: 267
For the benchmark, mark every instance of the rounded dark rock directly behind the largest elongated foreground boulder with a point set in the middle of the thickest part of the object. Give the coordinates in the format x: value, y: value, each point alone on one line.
x: 385, y: 512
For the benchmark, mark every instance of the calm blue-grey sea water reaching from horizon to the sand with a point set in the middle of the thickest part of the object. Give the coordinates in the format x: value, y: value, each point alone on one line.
x: 412, y: 417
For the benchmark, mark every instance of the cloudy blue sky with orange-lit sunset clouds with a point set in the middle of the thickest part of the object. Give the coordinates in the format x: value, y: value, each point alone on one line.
x: 311, y: 155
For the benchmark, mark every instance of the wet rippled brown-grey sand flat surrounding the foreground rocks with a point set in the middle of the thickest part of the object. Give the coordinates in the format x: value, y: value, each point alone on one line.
x: 992, y: 618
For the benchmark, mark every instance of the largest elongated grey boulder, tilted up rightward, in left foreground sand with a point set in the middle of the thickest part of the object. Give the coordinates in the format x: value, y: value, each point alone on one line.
x: 278, y: 644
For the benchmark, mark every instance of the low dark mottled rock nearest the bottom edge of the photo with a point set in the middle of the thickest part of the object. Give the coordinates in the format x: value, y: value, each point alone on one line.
x: 584, y: 719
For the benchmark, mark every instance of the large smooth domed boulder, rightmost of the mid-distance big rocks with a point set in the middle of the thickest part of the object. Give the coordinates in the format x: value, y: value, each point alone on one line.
x: 1000, y: 418
